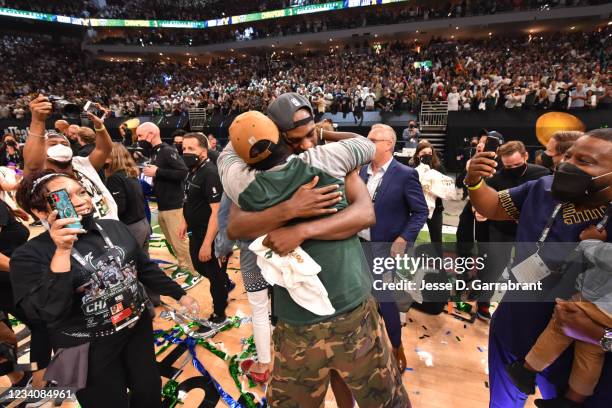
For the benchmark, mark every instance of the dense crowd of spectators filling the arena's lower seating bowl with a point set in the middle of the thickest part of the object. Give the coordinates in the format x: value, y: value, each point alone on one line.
x: 560, y: 71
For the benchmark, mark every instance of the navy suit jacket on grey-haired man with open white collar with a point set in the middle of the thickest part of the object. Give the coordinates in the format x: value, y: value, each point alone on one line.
x: 400, y: 205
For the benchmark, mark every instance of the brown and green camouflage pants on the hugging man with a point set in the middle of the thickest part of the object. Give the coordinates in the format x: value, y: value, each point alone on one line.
x: 354, y: 344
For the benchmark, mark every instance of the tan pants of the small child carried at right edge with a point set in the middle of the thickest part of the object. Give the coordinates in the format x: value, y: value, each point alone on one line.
x: 588, y: 358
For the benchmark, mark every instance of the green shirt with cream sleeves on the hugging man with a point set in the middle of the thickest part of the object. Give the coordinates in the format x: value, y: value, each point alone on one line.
x: 344, y: 271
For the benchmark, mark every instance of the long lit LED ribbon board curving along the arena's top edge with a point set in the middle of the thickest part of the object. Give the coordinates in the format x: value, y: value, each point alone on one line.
x: 225, y: 21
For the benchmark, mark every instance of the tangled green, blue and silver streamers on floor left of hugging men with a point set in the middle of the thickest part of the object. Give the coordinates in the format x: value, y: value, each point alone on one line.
x: 191, y: 331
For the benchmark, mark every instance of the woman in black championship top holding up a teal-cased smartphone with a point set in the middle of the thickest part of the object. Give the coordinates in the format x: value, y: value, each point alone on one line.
x: 85, y: 282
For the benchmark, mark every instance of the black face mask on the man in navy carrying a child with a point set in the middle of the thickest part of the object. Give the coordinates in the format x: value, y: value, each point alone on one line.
x: 571, y: 184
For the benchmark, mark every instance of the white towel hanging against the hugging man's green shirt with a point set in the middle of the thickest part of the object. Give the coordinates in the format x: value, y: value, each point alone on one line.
x: 296, y: 272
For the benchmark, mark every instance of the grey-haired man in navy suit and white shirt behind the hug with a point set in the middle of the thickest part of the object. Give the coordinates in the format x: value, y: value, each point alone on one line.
x: 401, y: 212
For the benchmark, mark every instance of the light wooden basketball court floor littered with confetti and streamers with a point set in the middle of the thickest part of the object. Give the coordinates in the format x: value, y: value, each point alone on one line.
x: 447, y: 357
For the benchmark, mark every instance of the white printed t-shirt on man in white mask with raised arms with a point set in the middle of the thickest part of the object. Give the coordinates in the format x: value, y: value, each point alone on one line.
x: 103, y: 201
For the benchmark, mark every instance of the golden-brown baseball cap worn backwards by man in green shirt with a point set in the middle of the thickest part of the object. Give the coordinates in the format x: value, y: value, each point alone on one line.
x: 253, y: 135
